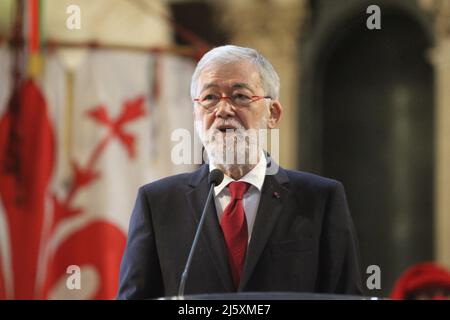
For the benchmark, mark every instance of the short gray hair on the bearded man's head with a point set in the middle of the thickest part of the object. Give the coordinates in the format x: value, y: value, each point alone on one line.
x: 230, y: 53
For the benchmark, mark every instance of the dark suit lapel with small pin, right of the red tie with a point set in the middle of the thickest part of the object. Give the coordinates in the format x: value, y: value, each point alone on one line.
x: 273, y: 196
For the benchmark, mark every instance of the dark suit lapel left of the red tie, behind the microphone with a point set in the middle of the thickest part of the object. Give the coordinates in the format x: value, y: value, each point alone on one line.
x: 211, y: 234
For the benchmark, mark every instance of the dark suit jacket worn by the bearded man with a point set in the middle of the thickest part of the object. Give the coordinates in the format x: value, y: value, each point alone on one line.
x: 303, y: 239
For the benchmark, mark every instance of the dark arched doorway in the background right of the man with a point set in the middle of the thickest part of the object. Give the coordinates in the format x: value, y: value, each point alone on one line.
x: 373, y: 110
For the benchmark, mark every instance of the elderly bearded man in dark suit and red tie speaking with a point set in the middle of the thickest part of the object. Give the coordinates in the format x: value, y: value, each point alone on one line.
x: 287, y: 231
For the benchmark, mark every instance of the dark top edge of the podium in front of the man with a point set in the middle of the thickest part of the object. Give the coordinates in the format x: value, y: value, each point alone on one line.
x: 270, y: 296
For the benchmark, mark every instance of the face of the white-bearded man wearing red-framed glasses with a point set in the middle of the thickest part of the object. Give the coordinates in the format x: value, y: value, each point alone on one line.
x: 227, y: 122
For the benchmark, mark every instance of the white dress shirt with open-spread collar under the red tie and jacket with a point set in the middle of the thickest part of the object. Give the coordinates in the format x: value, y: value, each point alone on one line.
x: 255, y: 178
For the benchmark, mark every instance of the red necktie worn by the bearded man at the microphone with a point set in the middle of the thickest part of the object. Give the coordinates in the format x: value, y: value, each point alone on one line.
x: 234, y: 227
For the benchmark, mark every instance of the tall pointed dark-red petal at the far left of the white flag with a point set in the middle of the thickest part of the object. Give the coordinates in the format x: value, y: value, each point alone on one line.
x: 26, y: 163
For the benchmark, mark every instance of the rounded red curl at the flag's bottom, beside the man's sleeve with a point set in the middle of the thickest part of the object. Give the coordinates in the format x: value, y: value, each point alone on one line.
x: 102, y: 244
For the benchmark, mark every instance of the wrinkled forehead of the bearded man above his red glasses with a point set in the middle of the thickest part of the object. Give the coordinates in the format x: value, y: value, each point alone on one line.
x: 227, y: 76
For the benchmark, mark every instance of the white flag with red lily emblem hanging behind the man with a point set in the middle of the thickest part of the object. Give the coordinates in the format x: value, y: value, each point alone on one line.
x: 99, y: 143
